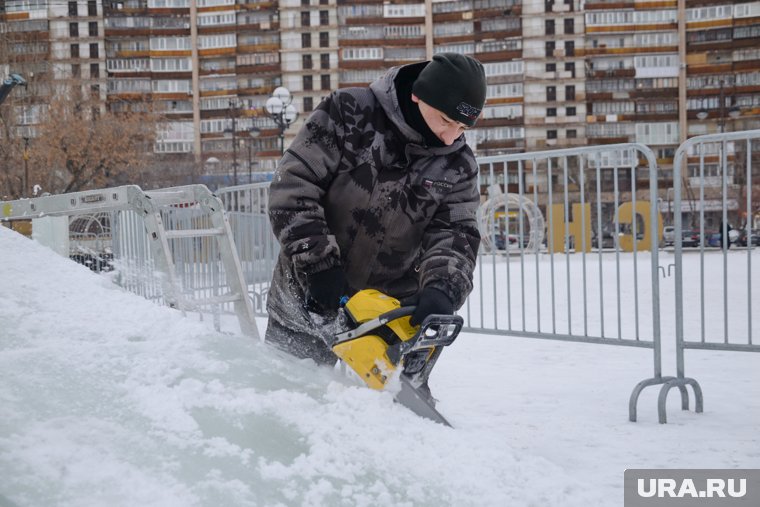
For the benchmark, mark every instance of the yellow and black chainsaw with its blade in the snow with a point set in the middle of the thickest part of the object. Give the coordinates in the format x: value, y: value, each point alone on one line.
x: 379, y: 342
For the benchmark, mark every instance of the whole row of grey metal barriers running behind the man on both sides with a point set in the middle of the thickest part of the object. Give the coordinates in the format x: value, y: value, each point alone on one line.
x: 570, y: 251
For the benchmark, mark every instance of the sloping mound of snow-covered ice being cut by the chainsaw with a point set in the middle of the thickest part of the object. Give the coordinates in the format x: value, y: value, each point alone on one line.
x: 108, y: 399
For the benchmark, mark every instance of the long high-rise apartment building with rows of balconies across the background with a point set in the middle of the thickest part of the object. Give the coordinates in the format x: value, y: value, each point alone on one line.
x: 560, y: 72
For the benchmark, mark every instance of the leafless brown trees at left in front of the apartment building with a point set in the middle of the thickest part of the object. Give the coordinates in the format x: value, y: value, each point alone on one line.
x: 58, y: 134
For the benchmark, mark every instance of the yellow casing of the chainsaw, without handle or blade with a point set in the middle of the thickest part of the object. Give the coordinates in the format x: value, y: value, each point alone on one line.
x: 367, y: 354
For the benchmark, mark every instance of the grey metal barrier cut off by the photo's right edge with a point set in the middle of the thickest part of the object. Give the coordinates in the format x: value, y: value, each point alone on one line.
x: 722, y: 325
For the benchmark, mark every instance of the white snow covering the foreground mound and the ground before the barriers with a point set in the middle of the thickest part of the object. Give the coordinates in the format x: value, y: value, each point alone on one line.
x: 108, y: 399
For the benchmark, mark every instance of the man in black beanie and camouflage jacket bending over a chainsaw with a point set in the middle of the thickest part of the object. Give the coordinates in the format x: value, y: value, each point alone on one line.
x: 378, y: 190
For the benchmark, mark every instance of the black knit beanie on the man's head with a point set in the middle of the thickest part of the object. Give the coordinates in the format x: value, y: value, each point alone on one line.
x: 454, y: 84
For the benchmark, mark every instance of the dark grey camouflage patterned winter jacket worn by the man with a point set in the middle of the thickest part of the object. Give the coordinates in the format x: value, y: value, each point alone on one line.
x: 358, y: 189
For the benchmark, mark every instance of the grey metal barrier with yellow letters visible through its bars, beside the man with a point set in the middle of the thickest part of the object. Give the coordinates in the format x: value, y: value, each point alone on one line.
x: 572, y: 285
